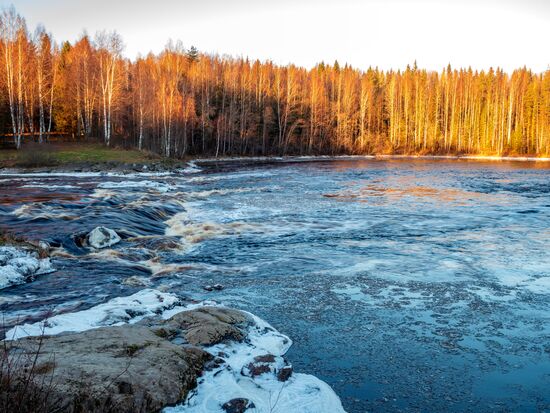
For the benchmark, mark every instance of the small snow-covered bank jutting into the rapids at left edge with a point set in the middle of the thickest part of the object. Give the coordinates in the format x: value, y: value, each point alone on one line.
x: 18, y: 266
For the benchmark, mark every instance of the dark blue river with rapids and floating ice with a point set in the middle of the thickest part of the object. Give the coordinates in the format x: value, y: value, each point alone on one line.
x: 405, y: 285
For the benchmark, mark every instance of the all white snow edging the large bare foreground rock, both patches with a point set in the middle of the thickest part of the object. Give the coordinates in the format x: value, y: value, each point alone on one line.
x: 299, y: 393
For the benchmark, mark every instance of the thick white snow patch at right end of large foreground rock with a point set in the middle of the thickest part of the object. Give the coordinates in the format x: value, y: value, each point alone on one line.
x: 301, y: 393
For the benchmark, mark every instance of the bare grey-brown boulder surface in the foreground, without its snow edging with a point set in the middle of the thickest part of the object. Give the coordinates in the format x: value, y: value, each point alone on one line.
x: 130, y: 368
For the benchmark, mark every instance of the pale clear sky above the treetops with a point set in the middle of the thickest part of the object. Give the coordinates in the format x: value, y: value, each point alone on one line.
x: 387, y: 34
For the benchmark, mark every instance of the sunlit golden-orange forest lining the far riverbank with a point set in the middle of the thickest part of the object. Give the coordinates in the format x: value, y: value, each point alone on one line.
x: 182, y: 102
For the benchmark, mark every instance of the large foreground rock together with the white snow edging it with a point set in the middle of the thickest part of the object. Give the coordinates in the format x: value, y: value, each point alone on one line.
x: 152, y: 351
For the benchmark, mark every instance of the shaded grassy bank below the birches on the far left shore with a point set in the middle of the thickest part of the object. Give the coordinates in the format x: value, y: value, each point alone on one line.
x: 34, y: 155
